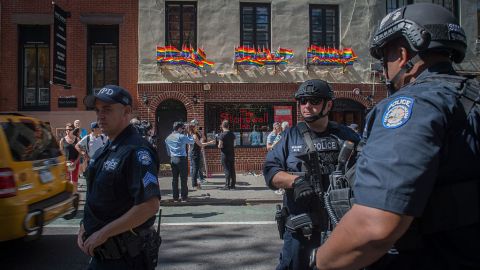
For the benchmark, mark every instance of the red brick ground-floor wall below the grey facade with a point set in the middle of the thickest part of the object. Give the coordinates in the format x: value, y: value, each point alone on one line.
x: 246, y: 159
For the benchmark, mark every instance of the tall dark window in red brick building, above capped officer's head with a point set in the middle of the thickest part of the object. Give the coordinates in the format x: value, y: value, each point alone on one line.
x: 102, y: 56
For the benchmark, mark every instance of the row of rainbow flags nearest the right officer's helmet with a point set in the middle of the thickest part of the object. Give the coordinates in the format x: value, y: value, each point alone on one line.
x: 330, y: 56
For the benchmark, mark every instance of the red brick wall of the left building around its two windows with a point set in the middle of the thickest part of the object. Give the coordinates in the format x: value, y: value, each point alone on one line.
x: 76, y: 47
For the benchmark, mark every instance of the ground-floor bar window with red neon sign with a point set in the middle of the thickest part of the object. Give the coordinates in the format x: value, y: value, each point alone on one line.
x: 250, y: 122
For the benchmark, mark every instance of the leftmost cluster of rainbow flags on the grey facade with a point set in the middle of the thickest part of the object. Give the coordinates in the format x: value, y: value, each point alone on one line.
x: 188, y: 56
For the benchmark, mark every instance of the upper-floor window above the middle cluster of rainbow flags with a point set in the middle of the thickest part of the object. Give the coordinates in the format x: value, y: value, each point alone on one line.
x: 255, y: 25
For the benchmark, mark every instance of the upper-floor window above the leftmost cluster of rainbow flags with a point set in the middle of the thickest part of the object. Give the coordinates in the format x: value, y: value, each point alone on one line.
x: 181, y: 24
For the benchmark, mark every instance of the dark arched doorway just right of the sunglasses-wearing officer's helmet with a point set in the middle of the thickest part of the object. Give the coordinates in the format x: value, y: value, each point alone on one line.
x: 347, y: 111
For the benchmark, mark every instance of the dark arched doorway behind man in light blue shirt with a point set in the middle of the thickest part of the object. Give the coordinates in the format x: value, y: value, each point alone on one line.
x: 168, y: 112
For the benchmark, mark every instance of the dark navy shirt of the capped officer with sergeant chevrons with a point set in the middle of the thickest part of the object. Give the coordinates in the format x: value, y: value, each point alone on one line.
x: 124, y: 174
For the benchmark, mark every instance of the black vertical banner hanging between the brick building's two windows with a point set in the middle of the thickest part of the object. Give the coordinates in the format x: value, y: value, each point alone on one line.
x: 60, y: 46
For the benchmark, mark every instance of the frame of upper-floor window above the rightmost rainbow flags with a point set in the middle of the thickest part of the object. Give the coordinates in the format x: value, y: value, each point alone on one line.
x: 323, y: 23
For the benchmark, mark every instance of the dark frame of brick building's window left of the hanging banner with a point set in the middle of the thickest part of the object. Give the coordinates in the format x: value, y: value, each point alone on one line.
x: 36, y: 36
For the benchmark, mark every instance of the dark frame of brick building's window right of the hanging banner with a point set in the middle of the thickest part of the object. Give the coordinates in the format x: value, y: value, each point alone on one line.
x: 109, y: 41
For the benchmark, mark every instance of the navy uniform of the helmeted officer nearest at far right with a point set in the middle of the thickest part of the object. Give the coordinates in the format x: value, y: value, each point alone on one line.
x: 415, y: 144
